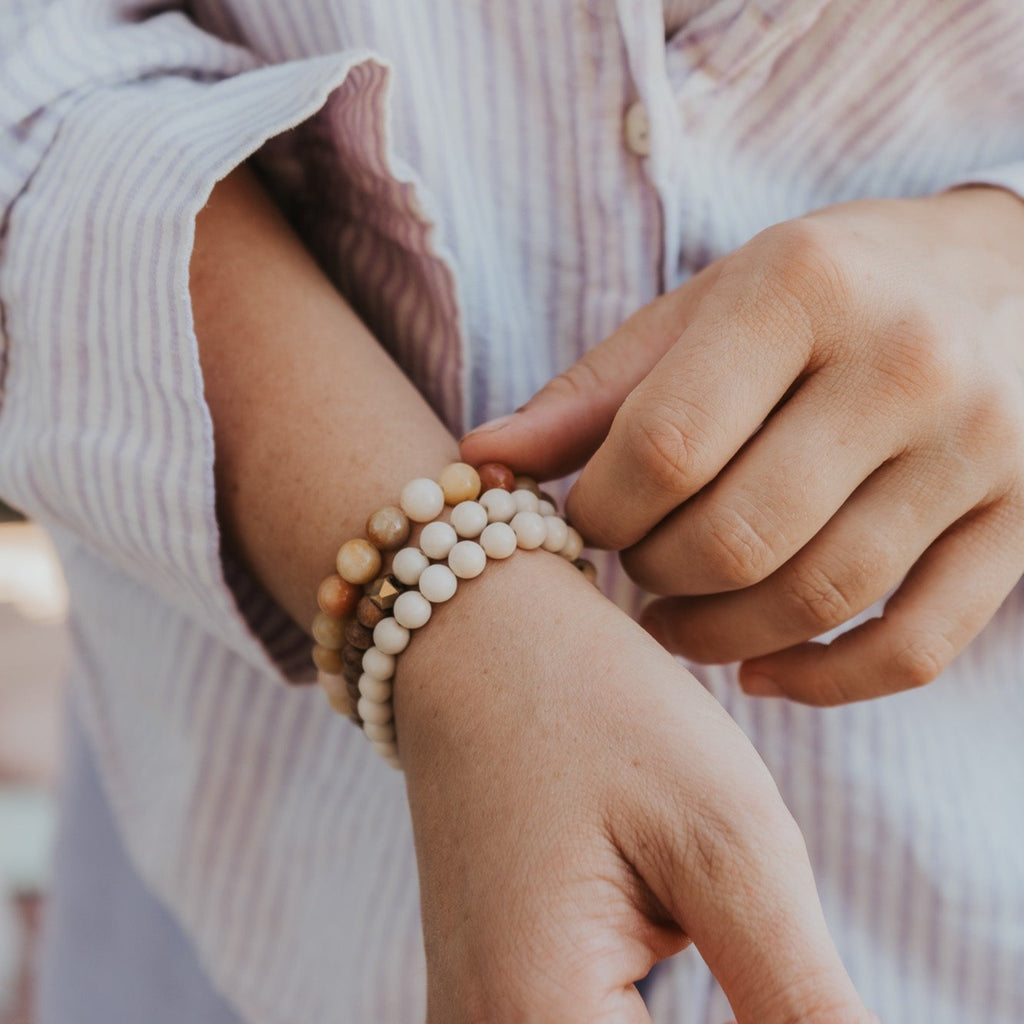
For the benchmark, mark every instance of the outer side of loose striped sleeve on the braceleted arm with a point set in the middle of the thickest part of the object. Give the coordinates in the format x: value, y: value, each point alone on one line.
x: 116, y: 124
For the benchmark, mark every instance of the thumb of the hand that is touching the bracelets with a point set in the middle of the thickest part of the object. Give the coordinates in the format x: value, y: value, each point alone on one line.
x: 565, y: 423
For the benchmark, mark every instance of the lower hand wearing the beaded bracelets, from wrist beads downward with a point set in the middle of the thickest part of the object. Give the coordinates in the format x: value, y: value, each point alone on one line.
x: 580, y: 805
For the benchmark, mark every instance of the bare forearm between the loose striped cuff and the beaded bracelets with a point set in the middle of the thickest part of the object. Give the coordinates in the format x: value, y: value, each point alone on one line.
x: 315, y: 426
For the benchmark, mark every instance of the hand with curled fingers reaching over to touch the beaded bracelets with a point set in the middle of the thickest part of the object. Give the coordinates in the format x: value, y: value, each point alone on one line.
x: 834, y: 411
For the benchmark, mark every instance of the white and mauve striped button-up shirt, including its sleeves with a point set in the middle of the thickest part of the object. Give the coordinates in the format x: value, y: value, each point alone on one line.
x: 460, y: 169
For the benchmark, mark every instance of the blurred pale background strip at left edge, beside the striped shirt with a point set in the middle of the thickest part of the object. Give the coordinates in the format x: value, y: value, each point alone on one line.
x: 34, y: 651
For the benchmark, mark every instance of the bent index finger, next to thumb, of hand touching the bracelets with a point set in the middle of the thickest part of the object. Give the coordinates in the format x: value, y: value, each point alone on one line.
x: 749, y: 342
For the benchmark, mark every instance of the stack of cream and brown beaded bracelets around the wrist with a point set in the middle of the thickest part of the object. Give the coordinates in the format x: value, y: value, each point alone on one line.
x: 369, y: 609
